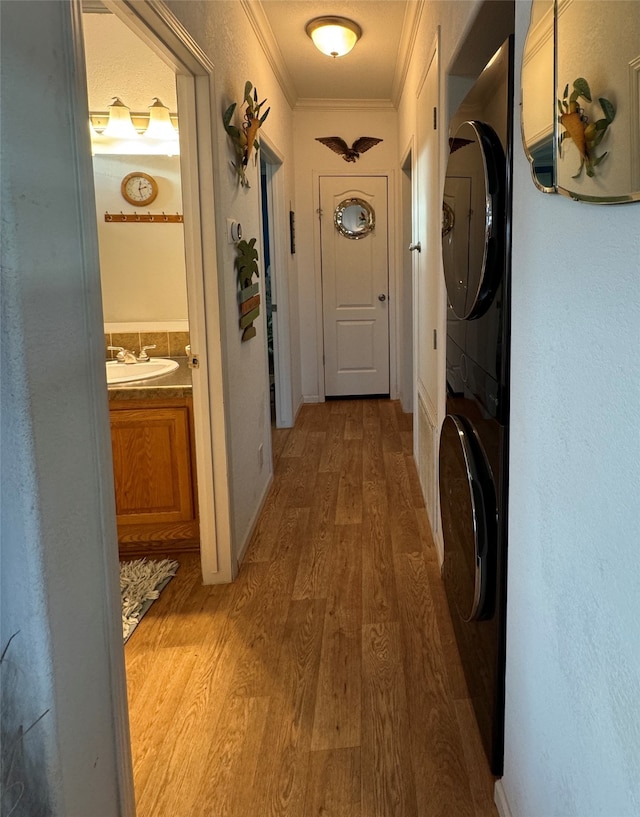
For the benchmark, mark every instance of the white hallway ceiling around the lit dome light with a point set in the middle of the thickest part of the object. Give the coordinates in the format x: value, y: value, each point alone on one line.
x: 371, y: 71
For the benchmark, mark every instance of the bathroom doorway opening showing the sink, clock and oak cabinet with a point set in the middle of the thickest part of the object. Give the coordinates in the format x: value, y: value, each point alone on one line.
x: 144, y: 292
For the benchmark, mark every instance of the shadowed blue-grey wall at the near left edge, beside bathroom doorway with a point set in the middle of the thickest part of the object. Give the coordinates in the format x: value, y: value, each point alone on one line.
x: 59, y: 555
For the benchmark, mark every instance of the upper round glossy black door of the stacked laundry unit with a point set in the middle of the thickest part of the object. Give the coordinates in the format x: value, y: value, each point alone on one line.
x: 473, y: 237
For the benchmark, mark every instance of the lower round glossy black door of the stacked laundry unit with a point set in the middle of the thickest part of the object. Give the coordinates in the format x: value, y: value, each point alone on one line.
x: 469, y: 521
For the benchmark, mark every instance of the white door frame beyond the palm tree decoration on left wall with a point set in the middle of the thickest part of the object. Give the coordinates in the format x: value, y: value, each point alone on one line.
x: 278, y: 232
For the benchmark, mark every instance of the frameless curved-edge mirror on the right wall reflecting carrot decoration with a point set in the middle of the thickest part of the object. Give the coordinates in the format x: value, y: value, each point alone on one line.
x: 581, y: 99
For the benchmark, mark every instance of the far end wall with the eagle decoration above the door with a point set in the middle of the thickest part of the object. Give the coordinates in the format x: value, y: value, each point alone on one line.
x: 313, y: 157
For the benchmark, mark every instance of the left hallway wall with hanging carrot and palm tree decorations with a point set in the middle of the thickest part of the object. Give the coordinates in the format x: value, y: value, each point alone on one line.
x: 227, y: 37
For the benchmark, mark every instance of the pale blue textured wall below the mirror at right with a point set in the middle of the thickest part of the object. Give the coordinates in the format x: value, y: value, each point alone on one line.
x: 573, y: 660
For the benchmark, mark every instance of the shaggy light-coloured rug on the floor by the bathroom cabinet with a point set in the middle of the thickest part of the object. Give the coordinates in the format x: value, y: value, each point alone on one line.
x: 141, y: 583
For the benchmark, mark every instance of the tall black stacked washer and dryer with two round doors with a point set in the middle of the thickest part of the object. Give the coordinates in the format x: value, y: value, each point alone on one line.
x: 474, y: 436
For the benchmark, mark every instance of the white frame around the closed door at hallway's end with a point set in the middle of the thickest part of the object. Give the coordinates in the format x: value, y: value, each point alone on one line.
x: 392, y: 300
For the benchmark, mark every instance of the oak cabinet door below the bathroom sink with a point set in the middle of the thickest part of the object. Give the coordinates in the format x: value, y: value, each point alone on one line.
x: 152, y: 465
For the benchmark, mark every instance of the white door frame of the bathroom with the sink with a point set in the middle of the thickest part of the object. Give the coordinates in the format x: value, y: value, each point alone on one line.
x: 162, y: 32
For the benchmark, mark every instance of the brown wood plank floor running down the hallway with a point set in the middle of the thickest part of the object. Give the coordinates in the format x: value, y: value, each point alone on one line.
x: 325, y: 681
